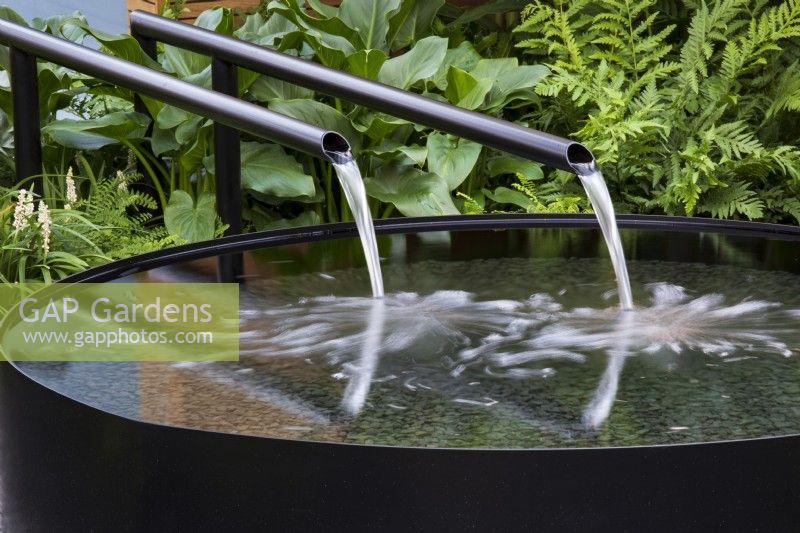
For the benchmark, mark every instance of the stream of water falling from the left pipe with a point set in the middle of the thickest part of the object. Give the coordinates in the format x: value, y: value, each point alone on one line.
x: 353, y: 186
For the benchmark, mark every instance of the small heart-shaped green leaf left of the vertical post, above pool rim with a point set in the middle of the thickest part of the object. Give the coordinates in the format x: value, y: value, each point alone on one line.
x: 189, y: 221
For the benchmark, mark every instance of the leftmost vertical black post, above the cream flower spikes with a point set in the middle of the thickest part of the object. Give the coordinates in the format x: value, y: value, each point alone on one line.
x: 27, y: 132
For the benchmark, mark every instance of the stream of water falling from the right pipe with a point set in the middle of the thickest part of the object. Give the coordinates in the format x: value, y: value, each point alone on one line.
x: 597, y: 191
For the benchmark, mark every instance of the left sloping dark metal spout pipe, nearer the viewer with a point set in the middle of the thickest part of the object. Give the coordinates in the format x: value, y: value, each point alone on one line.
x: 221, y: 108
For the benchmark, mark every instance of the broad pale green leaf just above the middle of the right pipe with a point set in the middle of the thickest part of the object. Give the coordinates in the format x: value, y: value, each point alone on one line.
x: 419, y: 63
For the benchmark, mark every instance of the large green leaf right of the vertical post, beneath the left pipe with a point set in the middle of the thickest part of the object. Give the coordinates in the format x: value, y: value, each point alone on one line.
x: 267, y: 169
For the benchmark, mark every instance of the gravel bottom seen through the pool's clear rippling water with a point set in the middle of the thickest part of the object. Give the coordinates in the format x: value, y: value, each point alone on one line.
x: 487, y: 353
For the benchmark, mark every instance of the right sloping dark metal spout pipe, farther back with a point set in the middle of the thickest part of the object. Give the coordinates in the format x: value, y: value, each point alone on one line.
x: 525, y: 142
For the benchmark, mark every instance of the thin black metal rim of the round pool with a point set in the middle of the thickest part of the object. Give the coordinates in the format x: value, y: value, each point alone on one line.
x: 267, y: 239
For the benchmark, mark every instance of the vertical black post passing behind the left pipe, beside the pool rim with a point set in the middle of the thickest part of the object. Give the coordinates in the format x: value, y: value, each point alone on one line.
x: 228, y: 169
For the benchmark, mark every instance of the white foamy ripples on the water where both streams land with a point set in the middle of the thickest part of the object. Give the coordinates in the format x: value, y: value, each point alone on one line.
x: 444, y: 337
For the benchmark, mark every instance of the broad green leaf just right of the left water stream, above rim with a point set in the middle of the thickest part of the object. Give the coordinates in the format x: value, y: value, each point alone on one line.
x: 411, y: 191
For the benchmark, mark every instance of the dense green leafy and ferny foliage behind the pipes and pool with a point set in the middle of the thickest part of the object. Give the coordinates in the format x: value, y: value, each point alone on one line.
x: 689, y: 106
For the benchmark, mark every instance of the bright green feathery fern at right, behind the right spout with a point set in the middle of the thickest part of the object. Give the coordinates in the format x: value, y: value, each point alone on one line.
x: 681, y: 120
